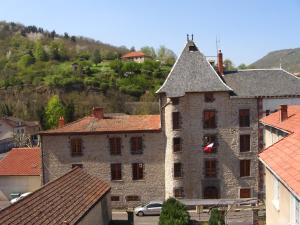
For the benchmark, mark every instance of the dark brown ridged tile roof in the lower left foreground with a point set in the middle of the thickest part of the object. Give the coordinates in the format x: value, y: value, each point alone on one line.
x: 65, y: 200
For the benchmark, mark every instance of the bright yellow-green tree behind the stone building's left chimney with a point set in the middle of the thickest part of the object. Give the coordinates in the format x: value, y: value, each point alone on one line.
x: 54, y: 110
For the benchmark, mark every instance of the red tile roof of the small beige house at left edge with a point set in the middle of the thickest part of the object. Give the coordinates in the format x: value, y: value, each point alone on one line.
x: 21, y: 162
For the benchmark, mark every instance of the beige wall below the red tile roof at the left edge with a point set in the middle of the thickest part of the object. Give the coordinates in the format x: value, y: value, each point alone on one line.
x: 20, y: 184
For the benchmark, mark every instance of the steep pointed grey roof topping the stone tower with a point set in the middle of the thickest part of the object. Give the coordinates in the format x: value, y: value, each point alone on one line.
x: 192, y: 73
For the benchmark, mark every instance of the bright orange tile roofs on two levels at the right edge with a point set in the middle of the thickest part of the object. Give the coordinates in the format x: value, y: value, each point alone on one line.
x: 283, y: 157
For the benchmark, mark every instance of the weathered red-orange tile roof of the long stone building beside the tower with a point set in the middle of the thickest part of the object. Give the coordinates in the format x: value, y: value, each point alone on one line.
x: 114, y: 124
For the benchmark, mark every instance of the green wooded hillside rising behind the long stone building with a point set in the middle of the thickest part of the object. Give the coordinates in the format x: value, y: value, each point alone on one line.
x: 36, y: 64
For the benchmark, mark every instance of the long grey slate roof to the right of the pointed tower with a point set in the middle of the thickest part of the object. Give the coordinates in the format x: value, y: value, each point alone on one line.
x: 263, y: 82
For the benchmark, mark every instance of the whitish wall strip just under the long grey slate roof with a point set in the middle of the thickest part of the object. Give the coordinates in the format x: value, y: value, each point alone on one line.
x: 273, y: 104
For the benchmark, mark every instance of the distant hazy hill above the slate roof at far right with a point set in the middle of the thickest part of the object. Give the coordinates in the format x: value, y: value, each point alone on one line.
x: 290, y: 60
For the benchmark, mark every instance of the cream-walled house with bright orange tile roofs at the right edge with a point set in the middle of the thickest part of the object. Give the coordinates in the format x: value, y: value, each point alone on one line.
x: 281, y: 159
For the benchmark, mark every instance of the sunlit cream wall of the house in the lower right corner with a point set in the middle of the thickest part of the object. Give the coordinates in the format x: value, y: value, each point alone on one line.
x: 274, y: 215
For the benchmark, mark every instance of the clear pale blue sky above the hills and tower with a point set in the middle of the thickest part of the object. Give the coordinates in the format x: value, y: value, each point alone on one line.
x: 246, y: 29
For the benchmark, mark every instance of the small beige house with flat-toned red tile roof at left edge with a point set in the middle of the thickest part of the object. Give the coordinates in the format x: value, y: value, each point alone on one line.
x: 20, y: 172
